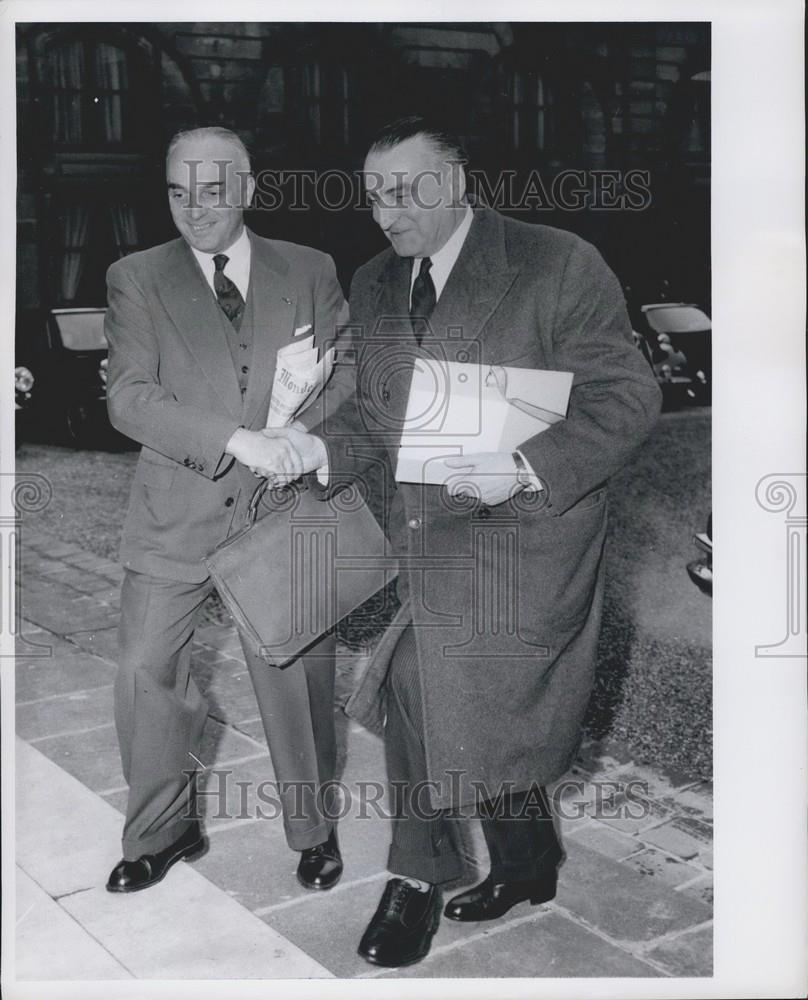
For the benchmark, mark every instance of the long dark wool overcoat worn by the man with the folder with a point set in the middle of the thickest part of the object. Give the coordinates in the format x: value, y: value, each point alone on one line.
x: 506, y: 599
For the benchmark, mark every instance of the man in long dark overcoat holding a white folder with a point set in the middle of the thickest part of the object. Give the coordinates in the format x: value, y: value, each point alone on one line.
x: 481, y: 683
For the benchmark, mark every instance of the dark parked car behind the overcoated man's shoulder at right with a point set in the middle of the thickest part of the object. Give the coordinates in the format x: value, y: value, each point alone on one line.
x: 676, y: 339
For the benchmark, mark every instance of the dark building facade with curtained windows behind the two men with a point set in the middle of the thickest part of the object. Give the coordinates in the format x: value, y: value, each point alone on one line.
x: 604, y: 107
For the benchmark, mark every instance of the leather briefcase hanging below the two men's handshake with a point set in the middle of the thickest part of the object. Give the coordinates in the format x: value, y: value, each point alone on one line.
x: 293, y: 573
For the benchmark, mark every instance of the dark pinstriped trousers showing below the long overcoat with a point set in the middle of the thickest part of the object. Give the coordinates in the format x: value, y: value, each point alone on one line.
x: 427, y: 843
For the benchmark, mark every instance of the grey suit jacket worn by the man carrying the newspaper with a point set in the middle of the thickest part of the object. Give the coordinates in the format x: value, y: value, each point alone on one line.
x: 173, y: 387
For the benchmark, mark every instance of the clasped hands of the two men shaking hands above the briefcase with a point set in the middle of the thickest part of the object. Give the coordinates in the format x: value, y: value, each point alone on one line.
x: 283, y: 454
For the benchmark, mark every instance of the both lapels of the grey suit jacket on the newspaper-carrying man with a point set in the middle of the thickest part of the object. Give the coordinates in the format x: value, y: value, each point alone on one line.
x: 190, y: 302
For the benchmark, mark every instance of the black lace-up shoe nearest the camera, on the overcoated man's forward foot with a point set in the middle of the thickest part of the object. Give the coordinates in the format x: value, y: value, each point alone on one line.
x: 403, y: 925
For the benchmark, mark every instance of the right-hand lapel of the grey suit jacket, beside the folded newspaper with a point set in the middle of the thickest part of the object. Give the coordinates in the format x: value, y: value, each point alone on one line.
x: 274, y: 307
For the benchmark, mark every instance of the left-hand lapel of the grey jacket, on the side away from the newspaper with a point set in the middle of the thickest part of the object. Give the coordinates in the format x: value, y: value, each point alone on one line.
x: 189, y: 301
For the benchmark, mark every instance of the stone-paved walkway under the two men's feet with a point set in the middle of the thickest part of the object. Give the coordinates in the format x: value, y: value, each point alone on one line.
x: 634, y: 899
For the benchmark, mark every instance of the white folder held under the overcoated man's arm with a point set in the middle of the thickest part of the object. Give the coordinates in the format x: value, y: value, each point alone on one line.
x: 458, y: 409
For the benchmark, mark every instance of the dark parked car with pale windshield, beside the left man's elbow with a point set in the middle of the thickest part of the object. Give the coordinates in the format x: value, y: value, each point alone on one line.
x: 77, y: 358
